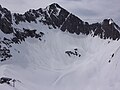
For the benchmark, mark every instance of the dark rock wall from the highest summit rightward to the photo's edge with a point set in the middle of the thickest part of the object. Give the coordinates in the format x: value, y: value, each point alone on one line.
x: 66, y: 21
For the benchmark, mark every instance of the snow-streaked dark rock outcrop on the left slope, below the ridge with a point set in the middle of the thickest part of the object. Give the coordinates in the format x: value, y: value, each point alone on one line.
x: 18, y: 37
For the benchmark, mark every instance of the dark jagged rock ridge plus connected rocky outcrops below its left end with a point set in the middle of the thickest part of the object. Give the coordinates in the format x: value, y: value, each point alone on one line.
x: 53, y: 16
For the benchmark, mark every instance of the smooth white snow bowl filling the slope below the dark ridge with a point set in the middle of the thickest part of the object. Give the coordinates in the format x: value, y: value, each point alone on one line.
x: 43, y: 65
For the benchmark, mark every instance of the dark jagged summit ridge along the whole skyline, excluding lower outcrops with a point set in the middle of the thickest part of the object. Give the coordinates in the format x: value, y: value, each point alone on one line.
x: 57, y: 17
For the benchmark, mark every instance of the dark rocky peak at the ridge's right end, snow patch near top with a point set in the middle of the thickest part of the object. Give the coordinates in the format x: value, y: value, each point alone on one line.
x: 106, y: 30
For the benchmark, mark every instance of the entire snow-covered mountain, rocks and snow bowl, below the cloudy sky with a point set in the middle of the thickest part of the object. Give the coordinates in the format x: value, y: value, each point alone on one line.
x: 52, y: 49
